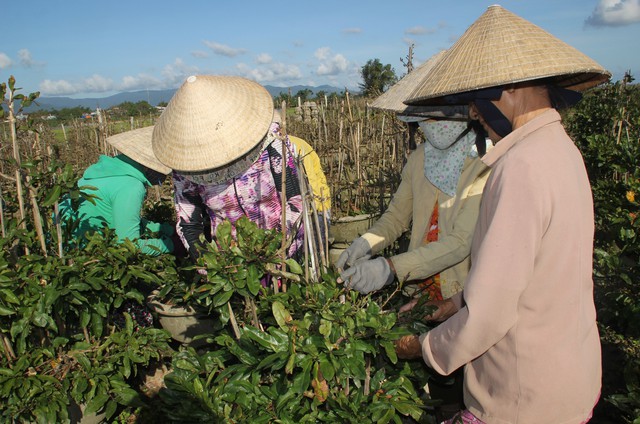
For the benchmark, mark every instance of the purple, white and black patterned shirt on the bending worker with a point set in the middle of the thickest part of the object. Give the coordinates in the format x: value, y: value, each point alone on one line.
x: 255, y: 193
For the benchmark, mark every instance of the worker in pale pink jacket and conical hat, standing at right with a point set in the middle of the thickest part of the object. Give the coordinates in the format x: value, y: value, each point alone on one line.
x: 524, y: 326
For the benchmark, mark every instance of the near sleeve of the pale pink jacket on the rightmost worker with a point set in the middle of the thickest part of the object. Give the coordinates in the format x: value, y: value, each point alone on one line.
x: 501, y: 271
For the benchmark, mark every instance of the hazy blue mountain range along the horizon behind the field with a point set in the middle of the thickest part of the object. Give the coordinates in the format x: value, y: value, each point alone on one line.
x: 152, y: 96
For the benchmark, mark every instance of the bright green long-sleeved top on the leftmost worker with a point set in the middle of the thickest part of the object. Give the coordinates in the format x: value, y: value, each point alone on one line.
x: 120, y: 189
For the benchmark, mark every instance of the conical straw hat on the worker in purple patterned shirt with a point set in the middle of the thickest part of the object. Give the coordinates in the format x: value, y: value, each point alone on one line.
x: 211, y: 121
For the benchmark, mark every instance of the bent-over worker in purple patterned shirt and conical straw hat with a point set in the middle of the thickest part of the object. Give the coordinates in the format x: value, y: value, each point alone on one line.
x: 217, y: 135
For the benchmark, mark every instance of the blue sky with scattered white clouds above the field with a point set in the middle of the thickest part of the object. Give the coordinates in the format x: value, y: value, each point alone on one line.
x: 95, y: 49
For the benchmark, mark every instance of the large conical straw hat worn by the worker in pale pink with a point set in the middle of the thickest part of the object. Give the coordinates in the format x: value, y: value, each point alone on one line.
x: 501, y: 48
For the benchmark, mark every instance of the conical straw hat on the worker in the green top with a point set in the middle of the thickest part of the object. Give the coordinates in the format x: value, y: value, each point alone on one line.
x: 136, y: 144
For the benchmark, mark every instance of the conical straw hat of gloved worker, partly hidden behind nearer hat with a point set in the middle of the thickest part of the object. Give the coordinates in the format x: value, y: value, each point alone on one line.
x: 393, y: 99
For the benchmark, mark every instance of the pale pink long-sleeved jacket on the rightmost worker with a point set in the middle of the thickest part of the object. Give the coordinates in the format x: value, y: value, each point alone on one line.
x: 526, y: 328
